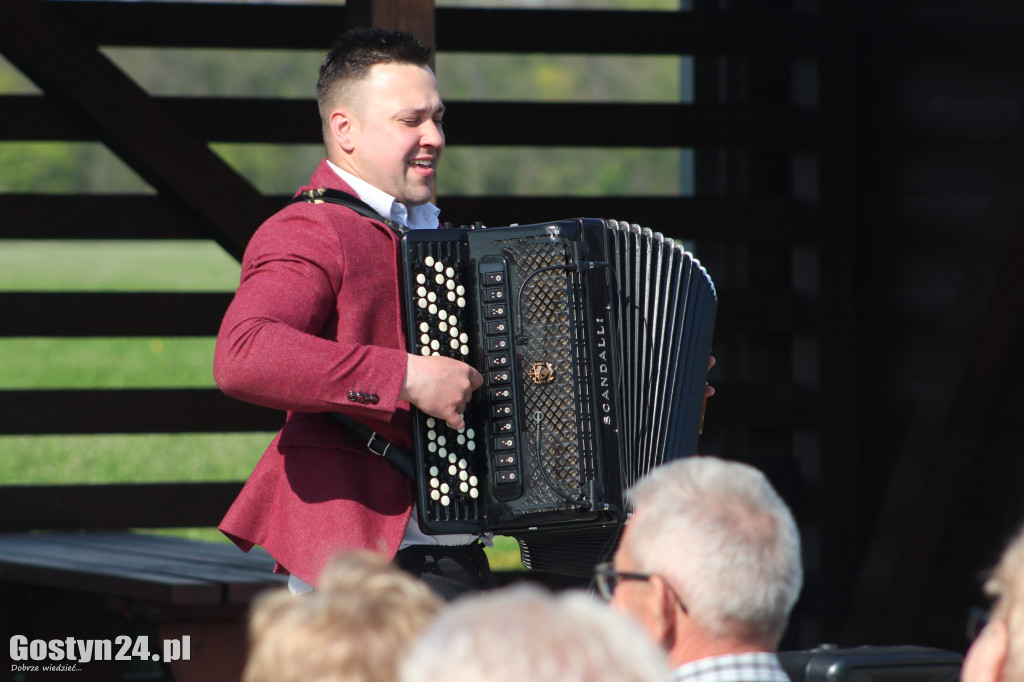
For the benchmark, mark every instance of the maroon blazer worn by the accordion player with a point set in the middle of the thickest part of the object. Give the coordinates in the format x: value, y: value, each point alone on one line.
x: 316, y: 327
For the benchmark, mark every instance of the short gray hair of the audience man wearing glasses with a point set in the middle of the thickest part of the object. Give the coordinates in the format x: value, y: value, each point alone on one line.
x: 727, y: 542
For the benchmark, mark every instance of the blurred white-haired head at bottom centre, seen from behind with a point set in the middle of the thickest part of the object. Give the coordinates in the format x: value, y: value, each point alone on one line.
x: 526, y: 633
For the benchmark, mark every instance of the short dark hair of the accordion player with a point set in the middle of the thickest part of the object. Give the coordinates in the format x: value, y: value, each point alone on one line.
x: 355, y: 52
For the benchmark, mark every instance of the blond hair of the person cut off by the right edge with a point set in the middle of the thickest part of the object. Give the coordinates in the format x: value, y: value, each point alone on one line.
x: 1006, y: 586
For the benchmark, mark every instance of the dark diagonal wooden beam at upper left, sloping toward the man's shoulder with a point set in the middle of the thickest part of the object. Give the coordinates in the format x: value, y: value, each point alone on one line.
x: 76, y: 75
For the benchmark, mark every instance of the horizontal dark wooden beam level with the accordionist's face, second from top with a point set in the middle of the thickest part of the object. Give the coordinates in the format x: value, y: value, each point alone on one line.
x: 763, y: 126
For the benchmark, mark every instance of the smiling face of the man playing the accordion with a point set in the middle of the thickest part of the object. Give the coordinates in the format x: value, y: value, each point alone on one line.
x: 391, y: 134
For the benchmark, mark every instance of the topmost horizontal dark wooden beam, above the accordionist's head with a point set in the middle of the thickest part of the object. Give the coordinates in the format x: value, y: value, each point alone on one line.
x: 549, y: 31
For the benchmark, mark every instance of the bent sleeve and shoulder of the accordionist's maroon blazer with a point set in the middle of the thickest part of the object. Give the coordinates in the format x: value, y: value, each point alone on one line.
x: 298, y: 336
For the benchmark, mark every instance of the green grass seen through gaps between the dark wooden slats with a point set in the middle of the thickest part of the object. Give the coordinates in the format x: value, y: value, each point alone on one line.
x: 129, y: 363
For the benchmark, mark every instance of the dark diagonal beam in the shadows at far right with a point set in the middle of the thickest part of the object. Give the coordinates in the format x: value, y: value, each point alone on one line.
x: 947, y: 432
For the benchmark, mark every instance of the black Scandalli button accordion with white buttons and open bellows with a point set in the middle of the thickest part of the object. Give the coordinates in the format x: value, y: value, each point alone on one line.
x: 593, y: 337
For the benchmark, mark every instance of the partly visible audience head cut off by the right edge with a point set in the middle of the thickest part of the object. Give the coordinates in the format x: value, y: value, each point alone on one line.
x: 998, y: 654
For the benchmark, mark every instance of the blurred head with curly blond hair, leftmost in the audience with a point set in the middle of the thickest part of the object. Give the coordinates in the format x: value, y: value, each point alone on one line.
x: 348, y: 631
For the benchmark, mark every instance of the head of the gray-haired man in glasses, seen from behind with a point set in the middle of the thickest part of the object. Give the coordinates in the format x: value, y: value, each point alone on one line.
x: 718, y: 557
